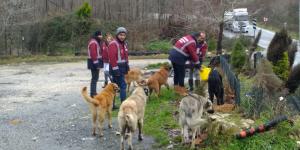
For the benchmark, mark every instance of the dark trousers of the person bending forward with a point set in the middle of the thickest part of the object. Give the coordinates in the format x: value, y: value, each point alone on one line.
x: 179, y: 74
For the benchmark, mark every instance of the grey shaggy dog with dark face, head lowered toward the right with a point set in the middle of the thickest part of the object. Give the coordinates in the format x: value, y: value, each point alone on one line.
x: 191, y: 110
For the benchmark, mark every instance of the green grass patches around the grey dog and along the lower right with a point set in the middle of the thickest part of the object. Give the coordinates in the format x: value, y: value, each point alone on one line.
x: 159, y: 119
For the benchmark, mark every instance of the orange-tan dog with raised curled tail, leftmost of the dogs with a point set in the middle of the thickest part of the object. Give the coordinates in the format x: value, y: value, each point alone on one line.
x: 100, y: 105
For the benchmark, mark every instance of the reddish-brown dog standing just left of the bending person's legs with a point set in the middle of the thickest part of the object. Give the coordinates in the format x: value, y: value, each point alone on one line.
x: 158, y: 79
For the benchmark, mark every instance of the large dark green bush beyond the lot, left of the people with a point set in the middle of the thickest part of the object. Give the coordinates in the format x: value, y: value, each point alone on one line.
x: 61, y: 34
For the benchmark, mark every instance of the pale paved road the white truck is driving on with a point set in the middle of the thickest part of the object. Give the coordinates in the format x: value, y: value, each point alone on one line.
x: 264, y: 41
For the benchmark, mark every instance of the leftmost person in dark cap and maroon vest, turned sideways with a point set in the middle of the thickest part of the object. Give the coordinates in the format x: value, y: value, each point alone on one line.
x: 94, y: 61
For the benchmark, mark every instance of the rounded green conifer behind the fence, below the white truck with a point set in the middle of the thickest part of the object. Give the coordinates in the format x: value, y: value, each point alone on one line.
x: 238, y: 56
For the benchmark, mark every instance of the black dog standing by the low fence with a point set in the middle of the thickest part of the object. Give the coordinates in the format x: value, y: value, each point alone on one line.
x: 215, y: 87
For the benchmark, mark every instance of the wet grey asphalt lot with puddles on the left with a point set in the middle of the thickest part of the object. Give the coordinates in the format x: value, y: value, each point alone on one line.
x: 41, y: 108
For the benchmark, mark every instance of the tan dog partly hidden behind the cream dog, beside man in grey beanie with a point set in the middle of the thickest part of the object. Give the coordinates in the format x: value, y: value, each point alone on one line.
x: 134, y: 74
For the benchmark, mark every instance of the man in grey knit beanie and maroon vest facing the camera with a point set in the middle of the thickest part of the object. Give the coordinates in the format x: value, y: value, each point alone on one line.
x: 118, y: 61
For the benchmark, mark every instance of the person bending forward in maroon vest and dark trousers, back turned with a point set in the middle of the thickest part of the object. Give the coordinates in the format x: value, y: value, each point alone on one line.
x: 183, y: 50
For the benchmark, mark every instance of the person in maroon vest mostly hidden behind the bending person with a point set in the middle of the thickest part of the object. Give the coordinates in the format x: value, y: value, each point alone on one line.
x: 201, y: 51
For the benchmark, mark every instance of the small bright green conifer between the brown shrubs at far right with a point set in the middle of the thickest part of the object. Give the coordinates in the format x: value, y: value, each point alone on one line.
x: 281, y: 67
